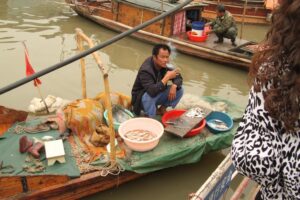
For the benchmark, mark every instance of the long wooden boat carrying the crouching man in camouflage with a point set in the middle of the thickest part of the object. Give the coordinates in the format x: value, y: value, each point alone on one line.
x: 124, y: 14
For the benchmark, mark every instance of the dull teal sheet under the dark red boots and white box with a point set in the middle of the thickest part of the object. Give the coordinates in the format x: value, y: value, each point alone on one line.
x: 10, y: 155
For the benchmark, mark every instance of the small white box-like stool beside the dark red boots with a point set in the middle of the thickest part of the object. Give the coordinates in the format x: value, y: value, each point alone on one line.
x: 55, y: 151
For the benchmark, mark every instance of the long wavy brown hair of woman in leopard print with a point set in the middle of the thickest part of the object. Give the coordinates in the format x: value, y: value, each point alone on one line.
x: 278, y: 64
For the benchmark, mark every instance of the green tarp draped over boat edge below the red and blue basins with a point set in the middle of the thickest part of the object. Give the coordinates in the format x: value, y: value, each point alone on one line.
x: 172, y: 151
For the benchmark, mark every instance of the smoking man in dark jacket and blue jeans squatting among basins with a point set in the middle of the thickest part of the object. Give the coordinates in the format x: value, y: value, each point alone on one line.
x: 151, y: 88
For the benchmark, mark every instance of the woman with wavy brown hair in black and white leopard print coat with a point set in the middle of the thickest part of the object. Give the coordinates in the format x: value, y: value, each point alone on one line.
x: 266, y: 147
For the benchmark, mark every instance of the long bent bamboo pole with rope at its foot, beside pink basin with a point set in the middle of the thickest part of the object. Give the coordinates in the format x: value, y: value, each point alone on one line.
x: 107, y: 95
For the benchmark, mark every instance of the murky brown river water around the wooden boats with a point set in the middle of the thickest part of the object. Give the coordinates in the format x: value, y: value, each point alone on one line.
x: 48, y: 29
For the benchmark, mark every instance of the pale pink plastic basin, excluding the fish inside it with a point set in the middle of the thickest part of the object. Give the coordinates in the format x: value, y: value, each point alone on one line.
x: 149, y: 124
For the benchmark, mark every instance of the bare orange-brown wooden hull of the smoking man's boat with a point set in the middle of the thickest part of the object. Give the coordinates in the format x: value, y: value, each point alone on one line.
x: 52, y: 186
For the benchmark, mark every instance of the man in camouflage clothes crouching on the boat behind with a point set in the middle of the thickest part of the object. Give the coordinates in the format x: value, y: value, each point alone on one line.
x: 224, y: 25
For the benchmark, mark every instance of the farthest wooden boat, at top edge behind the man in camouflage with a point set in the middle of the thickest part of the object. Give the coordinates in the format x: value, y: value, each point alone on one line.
x: 255, y: 10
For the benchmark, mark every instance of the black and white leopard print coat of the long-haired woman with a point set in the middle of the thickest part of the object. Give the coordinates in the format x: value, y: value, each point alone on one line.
x: 263, y: 151
